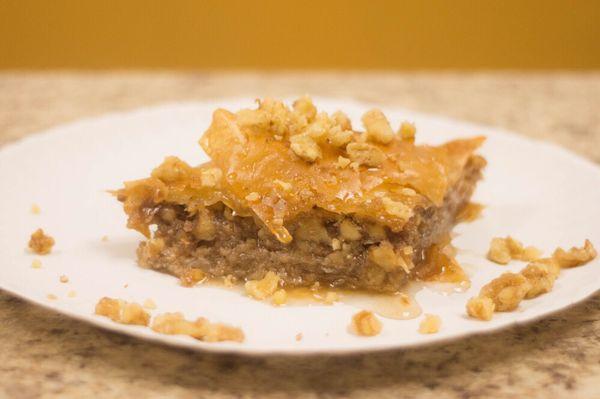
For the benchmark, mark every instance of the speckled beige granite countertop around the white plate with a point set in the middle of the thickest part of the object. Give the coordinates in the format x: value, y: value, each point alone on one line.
x: 46, y: 354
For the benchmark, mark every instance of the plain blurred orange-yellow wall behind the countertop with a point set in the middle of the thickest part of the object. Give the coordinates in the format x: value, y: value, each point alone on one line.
x: 269, y: 34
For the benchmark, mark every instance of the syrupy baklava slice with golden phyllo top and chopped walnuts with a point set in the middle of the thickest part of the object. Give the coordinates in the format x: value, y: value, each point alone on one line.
x: 304, y: 195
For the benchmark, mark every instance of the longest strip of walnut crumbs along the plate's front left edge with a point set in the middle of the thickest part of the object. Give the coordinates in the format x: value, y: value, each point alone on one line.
x: 201, y: 329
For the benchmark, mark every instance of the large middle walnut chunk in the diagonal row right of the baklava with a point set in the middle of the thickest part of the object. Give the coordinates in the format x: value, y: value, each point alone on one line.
x: 507, y: 291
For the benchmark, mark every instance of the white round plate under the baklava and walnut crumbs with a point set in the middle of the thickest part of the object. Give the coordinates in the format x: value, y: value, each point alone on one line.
x: 534, y: 191
